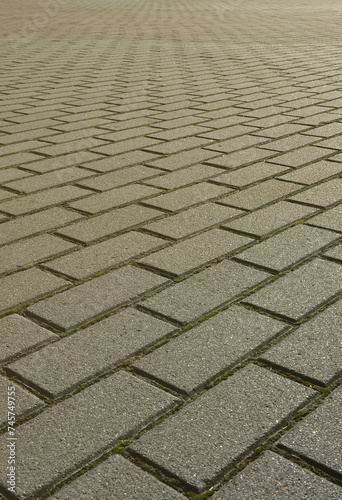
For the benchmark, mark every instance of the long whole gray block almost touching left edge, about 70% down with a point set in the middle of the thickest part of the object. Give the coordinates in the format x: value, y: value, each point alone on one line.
x: 74, y: 358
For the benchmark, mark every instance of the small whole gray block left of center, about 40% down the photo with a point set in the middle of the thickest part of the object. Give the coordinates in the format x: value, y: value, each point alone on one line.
x: 113, y: 198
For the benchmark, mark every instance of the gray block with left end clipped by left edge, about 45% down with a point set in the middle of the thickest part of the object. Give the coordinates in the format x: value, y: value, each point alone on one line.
x: 35, y: 223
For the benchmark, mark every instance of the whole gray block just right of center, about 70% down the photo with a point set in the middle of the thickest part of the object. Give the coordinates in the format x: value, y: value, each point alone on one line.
x: 205, y: 352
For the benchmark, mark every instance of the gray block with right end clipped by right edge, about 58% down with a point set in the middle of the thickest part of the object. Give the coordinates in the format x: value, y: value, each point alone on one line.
x: 300, y: 292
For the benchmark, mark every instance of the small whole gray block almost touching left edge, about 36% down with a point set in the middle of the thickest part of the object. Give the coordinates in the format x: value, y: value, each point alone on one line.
x: 51, y: 179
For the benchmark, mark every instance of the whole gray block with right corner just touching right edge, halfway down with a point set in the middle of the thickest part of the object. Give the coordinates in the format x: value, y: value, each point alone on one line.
x: 288, y: 247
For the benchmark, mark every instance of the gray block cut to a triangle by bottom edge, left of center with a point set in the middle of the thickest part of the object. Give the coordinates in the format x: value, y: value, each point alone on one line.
x: 117, y: 479
